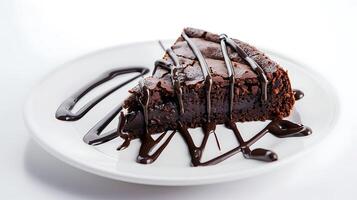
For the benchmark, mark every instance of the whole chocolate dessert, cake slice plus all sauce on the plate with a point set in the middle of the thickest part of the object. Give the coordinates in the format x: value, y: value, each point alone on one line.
x: 202, y: 80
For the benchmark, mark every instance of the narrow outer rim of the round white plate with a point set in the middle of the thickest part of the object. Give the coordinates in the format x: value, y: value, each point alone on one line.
x: 175, y: 181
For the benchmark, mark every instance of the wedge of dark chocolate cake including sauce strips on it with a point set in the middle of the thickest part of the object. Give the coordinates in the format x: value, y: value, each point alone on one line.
x: 205, y: 78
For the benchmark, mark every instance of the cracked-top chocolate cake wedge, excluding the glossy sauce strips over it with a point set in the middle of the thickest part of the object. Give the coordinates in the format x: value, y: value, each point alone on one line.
x: 163, y: 110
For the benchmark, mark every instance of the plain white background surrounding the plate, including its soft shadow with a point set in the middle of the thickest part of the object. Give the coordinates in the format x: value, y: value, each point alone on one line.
x: 36, y: 36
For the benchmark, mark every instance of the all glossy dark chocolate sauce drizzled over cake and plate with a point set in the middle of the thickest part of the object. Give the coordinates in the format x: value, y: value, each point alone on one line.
x: 278, y: 127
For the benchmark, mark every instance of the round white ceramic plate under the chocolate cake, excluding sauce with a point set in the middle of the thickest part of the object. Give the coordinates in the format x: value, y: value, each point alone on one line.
x: 64, y: 139
